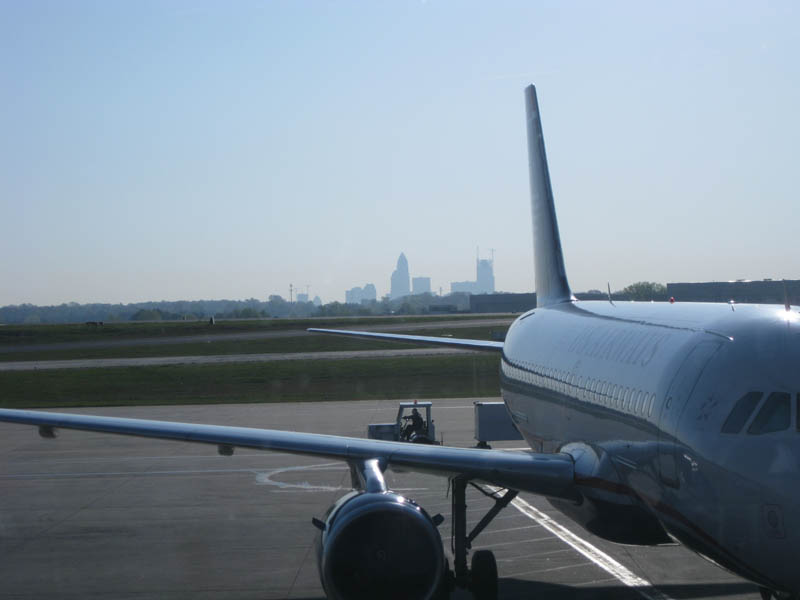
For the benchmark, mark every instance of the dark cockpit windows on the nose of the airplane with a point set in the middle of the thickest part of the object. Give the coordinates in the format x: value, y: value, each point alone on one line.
x: 775, y: 413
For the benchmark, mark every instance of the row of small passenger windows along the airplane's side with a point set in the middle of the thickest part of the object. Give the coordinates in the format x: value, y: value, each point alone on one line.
x: 594, y: 391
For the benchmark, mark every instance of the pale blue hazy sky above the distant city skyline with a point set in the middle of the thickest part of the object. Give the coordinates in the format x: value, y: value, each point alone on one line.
x: 206, y: 150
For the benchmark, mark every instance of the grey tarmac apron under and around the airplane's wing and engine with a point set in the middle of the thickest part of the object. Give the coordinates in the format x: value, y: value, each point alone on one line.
x: 97, y: 516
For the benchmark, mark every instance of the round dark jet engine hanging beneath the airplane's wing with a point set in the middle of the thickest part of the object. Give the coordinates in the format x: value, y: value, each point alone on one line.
x: 379, y: 545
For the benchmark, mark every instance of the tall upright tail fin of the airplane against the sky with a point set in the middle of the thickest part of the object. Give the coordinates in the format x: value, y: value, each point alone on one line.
x: 551, y: 277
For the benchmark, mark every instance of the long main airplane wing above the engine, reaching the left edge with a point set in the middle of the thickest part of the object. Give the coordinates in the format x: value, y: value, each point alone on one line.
x: 546, y: 474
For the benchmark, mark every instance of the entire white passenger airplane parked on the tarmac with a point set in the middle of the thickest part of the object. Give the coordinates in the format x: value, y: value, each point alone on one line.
x: 647, y: 423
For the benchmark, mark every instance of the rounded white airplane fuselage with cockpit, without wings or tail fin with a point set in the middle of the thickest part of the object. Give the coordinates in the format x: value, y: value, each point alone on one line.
x: 642, y: 395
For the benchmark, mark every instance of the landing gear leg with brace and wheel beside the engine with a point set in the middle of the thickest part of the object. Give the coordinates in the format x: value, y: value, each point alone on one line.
x: 481, y: 579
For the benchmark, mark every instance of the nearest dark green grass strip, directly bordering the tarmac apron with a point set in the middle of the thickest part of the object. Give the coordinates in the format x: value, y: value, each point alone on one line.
x: 289, y: 381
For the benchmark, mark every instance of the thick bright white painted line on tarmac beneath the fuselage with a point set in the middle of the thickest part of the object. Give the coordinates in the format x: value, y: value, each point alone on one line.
x: 594, y: 554
